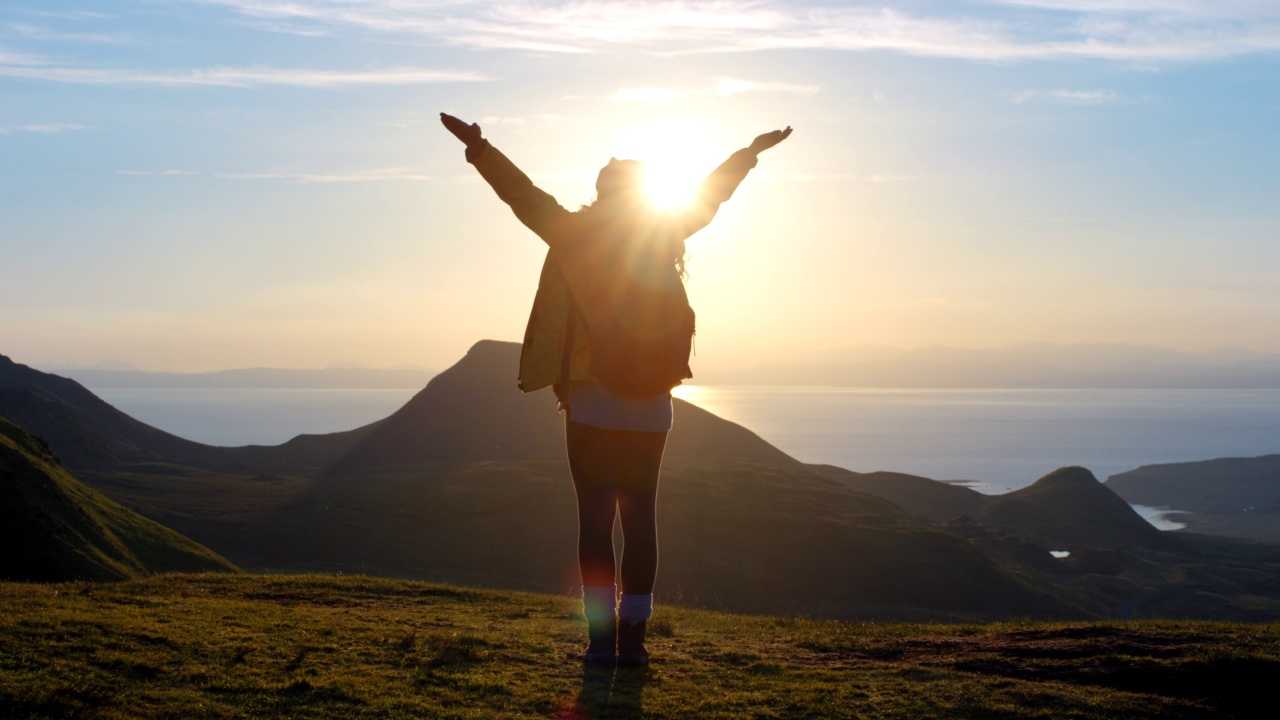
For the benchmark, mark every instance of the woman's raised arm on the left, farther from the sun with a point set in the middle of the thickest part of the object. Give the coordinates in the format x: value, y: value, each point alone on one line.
x: 538, y: 211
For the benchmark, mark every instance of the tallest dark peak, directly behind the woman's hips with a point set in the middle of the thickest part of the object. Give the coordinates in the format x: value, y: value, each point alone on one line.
x: 474, y: 412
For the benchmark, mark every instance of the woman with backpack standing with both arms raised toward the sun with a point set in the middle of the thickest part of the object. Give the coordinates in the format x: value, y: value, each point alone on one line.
x: 611, y: 331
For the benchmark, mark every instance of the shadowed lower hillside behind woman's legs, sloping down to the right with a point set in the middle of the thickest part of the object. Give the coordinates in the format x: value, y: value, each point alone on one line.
x: 725, y: 526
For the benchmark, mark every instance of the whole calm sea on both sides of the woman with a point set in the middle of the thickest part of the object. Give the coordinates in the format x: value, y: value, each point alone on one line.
x: 998, y: 440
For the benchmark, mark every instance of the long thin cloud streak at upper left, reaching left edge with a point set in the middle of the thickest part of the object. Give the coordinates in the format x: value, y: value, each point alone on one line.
x: 241, y: 78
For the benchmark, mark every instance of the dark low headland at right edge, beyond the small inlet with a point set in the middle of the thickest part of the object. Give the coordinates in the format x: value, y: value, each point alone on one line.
x: 1229, y: 496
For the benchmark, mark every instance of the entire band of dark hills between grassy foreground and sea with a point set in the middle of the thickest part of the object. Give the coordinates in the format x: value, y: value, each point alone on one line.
x: 468, y: 484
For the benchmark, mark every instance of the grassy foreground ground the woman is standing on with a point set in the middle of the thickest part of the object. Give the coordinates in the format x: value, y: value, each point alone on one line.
x: 312, y: 646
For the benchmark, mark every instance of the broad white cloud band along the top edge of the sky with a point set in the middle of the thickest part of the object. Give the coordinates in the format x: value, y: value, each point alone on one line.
x: 980, y: 30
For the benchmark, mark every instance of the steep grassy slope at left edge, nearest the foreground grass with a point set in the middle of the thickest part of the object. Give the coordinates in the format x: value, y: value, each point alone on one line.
x: 56, y: 528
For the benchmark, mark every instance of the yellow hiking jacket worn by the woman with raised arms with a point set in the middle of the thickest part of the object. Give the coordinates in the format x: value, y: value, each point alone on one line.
x: 595, y: 261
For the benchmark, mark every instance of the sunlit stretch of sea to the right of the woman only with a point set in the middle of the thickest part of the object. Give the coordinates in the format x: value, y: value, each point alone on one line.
x: 1000, y: 440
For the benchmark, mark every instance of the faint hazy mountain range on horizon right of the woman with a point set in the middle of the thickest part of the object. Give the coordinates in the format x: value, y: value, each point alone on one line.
x: 1032, y: 366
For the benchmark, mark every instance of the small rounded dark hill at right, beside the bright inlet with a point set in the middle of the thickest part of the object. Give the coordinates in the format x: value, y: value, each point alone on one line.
x: 1071, y: 511
